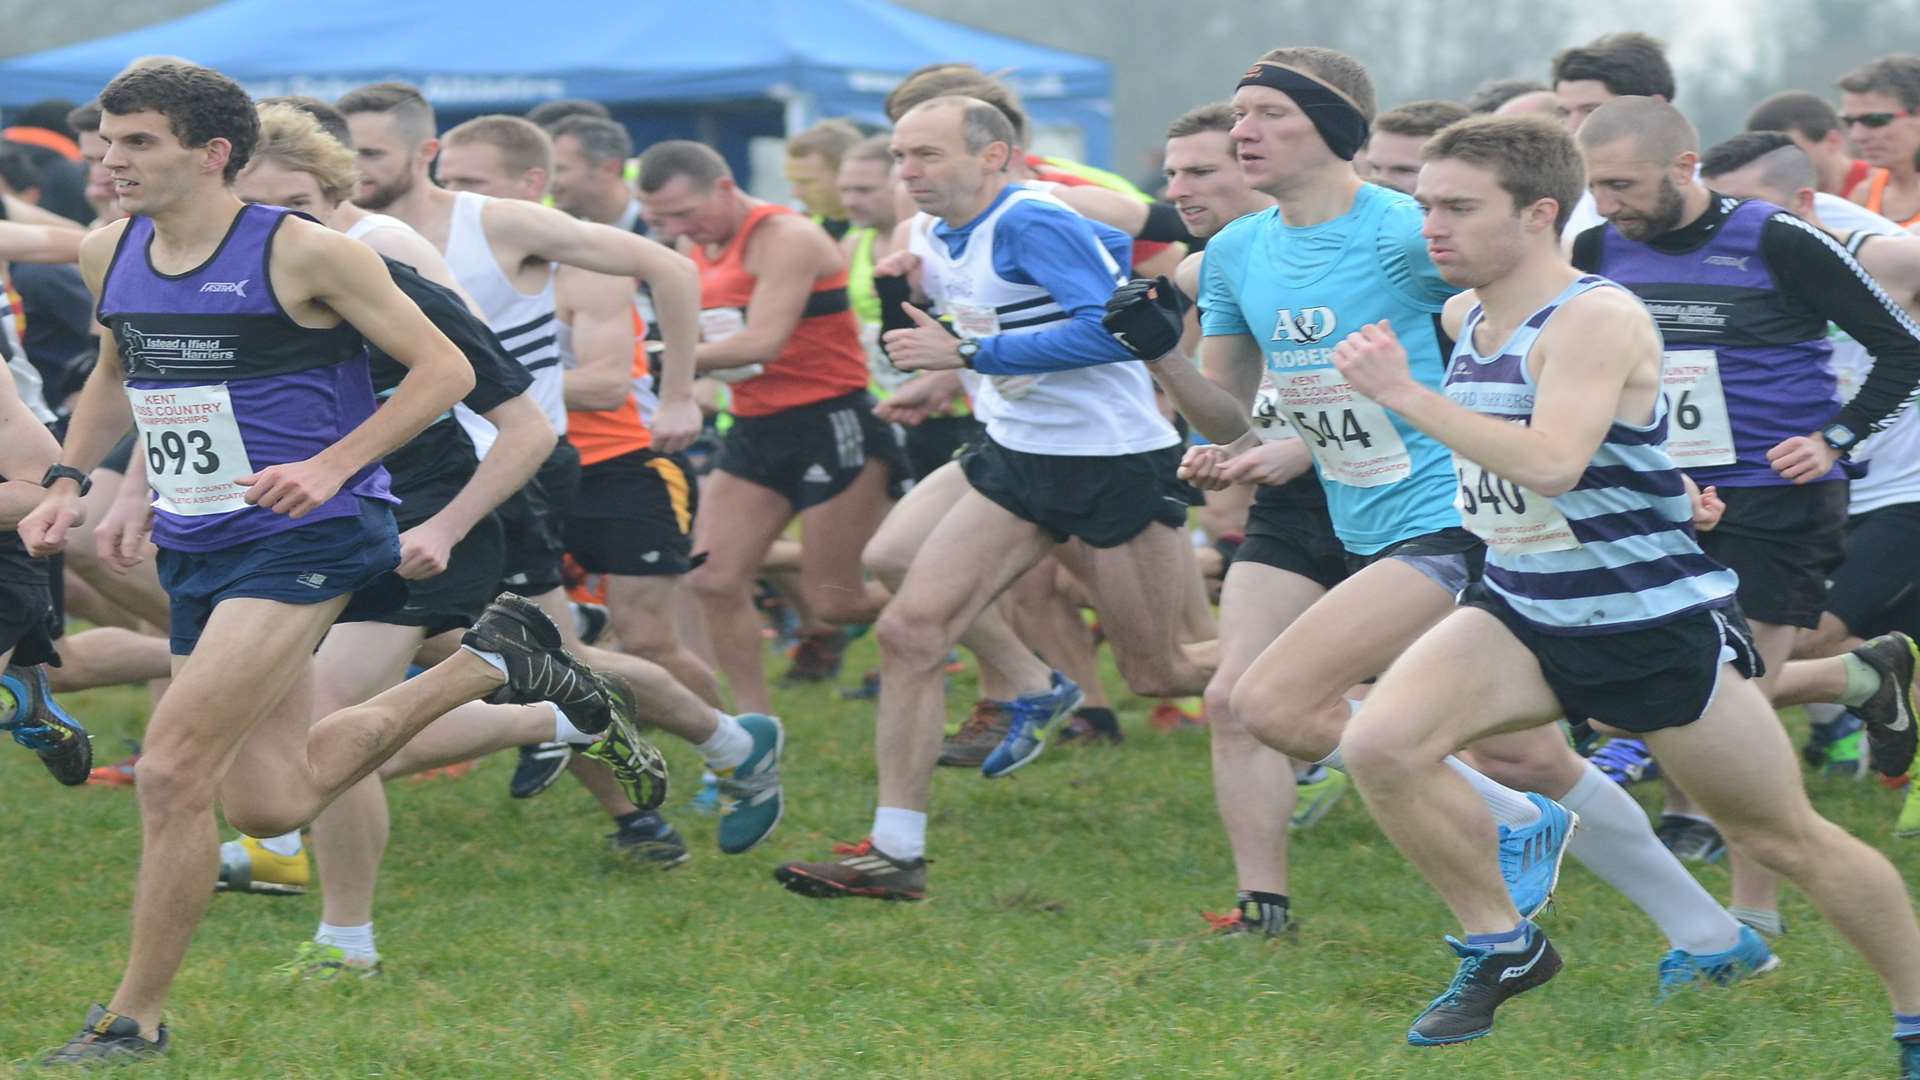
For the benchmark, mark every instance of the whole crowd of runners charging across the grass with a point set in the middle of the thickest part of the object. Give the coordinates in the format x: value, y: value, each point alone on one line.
x: 1483, y: 456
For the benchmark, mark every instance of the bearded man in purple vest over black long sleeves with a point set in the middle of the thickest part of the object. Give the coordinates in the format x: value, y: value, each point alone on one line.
x: 1744, y: 295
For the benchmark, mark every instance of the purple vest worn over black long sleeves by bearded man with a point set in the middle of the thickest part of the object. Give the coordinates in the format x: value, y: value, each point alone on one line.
x: 1775, y: 356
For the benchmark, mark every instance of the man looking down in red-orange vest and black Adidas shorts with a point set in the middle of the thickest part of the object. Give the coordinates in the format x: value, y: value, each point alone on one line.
x: 805, y: 441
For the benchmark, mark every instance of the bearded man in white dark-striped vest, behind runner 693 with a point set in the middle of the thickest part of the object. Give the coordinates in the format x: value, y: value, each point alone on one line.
x: 485, y: 239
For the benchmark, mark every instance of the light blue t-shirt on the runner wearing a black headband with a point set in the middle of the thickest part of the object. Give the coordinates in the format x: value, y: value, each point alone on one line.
x: 1299, y: 293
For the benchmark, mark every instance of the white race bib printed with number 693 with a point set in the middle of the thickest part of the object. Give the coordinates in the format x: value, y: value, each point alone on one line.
x: 193, y: 449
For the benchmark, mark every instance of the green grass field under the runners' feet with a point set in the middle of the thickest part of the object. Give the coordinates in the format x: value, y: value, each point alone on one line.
x: 1061, y: 941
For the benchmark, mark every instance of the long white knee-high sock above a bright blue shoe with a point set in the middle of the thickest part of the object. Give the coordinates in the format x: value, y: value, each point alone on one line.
x: 1618, y: 843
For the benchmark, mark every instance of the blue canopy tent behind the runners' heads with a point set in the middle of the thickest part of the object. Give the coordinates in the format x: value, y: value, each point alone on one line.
x: 713, y: 70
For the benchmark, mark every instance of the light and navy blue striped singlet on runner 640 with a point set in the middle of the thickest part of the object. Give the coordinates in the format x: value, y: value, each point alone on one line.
x: 1612, y: 554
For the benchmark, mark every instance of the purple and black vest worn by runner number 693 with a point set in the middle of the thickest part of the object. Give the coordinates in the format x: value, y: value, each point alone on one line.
x: 295, y: 391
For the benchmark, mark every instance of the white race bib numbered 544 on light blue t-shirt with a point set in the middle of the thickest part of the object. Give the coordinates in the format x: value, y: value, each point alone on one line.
x: 1351, y: 437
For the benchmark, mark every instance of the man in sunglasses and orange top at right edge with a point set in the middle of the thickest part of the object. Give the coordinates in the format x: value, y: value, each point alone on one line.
x: 1881, y: 114
